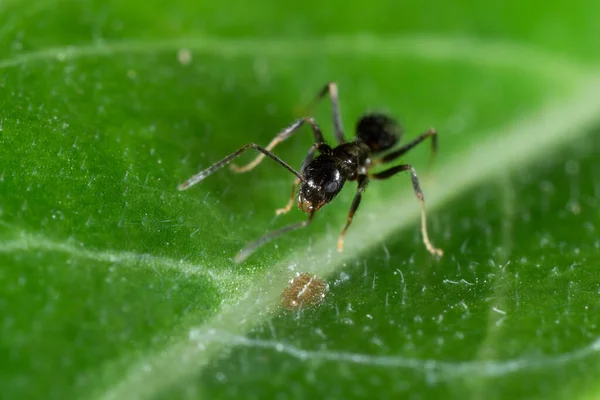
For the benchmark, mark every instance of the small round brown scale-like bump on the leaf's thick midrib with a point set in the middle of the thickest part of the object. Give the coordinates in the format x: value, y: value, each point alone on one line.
x: 305, y: 290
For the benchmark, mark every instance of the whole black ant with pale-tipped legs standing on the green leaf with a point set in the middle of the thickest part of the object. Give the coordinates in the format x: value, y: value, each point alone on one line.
x: 322, y: 177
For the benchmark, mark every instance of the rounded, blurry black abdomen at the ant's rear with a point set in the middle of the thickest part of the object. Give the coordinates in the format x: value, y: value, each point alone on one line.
x: 378, y: 131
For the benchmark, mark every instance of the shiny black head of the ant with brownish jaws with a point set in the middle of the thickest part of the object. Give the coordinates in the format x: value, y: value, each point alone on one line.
x: 323, y: 180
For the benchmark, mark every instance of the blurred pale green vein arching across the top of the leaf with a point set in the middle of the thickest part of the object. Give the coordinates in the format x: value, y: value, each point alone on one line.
x: 485, y: 53
